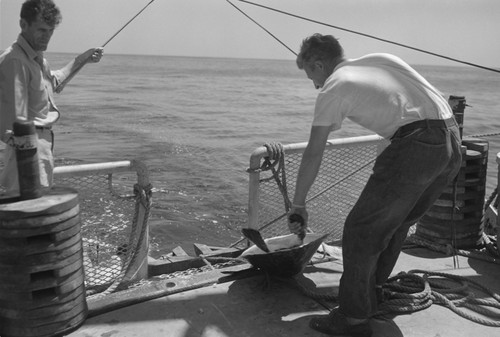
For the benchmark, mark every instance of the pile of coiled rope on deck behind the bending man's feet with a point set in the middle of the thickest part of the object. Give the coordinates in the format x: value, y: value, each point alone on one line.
x: 410, y: 292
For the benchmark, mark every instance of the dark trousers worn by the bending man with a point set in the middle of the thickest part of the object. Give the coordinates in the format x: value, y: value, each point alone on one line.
x: 408, y: 177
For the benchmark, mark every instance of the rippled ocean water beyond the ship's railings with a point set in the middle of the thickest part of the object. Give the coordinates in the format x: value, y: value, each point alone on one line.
x: 195, y: 122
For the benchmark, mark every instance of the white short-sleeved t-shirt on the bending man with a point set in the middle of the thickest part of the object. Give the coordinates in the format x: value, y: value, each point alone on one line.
x: 379, y: 92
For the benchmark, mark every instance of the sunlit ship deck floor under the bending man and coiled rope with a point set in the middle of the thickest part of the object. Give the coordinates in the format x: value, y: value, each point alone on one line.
x: 247, y: 304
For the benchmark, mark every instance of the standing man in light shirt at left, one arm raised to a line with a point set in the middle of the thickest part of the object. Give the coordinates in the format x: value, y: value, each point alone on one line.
x: 27, y: 86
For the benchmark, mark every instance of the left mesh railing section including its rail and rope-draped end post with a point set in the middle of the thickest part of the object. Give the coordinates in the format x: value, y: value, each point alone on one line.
x: 114, y: 230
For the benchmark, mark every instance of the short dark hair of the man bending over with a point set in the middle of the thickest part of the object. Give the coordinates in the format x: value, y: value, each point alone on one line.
x: 325, y: 48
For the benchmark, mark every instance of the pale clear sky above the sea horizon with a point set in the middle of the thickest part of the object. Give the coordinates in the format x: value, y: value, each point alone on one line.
x: 462, y: 29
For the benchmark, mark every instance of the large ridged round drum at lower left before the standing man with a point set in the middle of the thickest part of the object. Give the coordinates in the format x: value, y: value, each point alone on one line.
x: 42, y: 290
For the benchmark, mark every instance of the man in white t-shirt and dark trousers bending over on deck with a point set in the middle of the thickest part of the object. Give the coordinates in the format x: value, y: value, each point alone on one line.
x: 385, y: 95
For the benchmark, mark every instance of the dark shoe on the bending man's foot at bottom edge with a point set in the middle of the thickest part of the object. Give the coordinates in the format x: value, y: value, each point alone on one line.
x: 336, y: 324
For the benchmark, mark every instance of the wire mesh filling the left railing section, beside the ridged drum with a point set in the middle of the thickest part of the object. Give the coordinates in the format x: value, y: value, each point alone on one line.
x: 106, y: 225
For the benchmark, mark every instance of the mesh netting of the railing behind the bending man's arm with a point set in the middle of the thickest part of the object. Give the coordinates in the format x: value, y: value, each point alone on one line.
x: 344, y: 171
